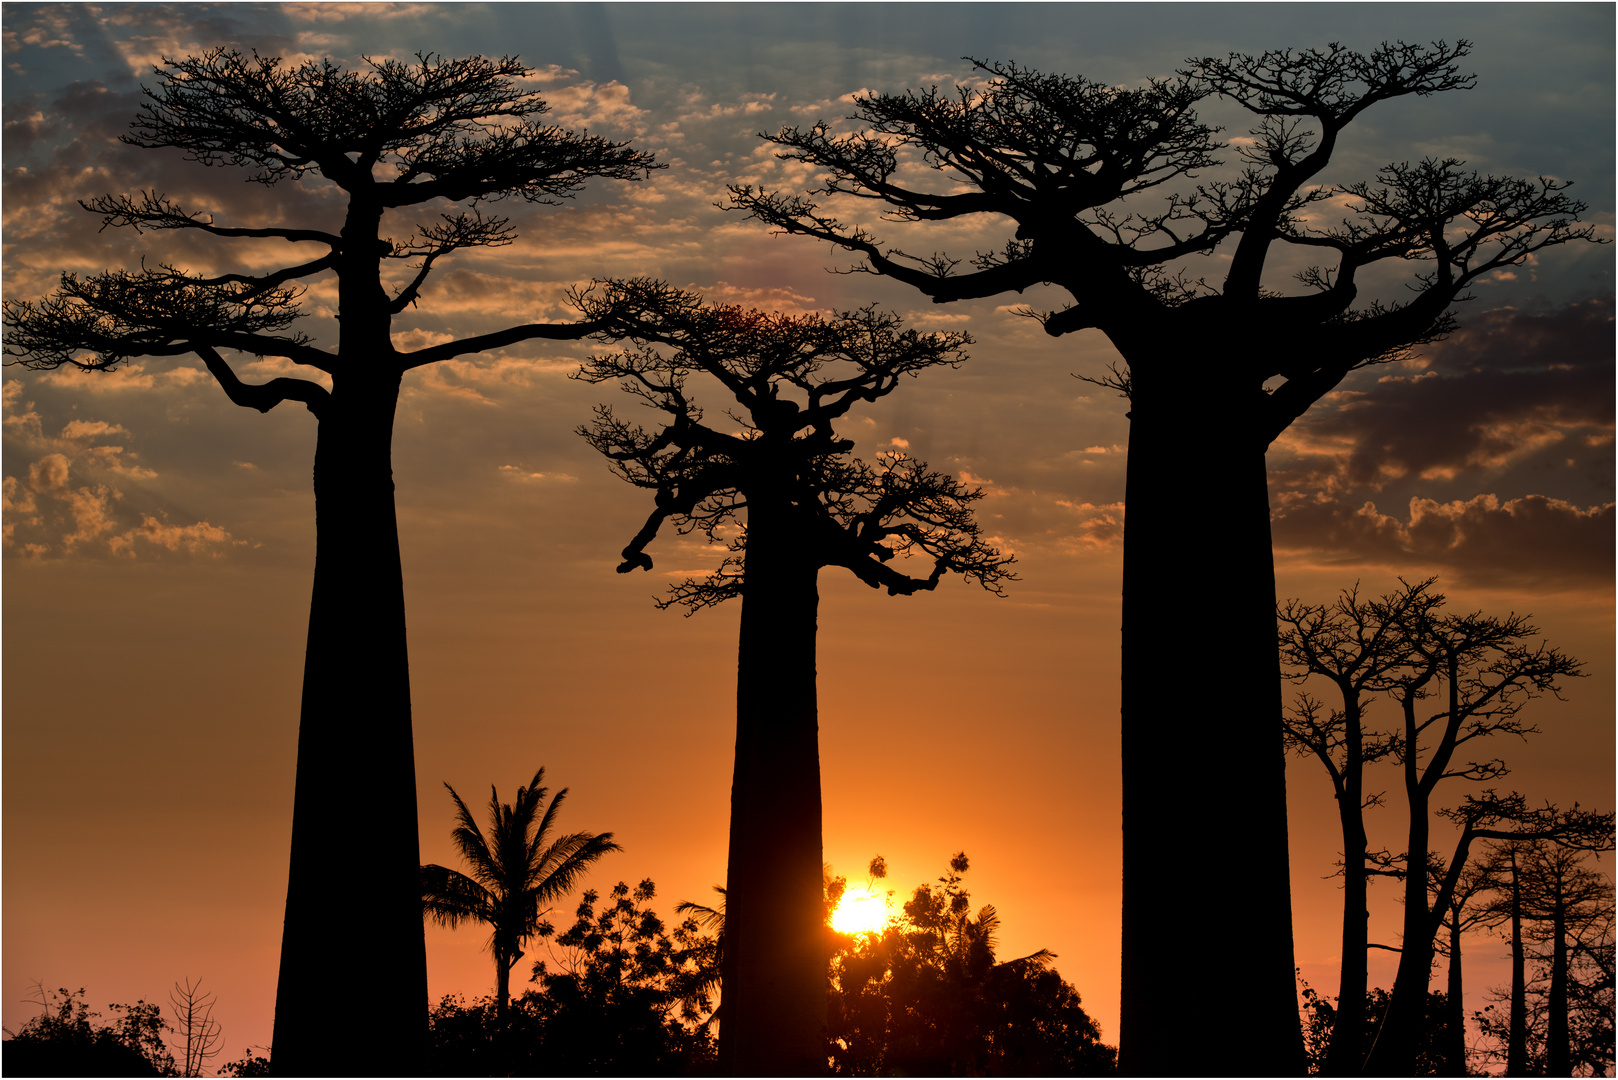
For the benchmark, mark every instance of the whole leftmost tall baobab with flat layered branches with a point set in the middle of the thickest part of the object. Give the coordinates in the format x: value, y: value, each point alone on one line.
x: 392, y: 137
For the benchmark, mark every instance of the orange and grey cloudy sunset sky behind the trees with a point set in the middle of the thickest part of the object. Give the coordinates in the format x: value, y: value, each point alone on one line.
x: 159, y: 540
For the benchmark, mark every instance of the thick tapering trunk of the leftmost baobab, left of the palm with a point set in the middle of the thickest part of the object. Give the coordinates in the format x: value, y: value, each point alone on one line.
x: 352, y: 997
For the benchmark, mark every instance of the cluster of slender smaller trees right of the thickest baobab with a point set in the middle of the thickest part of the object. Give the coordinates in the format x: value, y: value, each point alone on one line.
x: 1455, y: 681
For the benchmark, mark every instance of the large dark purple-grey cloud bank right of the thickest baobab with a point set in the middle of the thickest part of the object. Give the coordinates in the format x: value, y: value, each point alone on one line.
x: 1518, y: 402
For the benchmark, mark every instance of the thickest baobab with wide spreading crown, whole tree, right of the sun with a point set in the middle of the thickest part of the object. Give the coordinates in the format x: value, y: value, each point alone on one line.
x: 1095, y: 187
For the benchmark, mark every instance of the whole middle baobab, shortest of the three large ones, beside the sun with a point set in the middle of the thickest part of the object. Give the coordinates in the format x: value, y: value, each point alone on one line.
x: 777, y: 488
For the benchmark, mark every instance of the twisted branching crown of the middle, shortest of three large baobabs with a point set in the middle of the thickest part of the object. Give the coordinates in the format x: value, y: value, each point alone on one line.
x: 794, y: 376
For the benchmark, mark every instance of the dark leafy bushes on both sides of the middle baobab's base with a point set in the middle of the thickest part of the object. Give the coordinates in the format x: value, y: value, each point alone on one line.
x: 624, y: 993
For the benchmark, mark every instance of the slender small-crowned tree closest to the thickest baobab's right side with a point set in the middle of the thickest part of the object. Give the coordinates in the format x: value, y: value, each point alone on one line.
x: 1358, y: 647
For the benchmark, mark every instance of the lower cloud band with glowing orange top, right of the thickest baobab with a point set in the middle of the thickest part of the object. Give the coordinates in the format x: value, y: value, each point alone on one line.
x: 1483, y: 540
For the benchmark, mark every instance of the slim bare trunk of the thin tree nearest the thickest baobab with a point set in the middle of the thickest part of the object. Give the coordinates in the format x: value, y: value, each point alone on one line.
x: 1347, y: 1052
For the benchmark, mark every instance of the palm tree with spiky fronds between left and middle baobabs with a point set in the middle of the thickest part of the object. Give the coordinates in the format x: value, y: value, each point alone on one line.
x: 514, y: 874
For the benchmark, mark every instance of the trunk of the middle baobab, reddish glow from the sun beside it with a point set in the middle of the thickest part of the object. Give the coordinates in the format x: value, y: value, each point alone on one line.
x: 776, y: 948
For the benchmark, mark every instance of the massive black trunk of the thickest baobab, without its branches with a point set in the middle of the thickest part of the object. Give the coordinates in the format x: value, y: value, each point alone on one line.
x: 1206, y: 887
